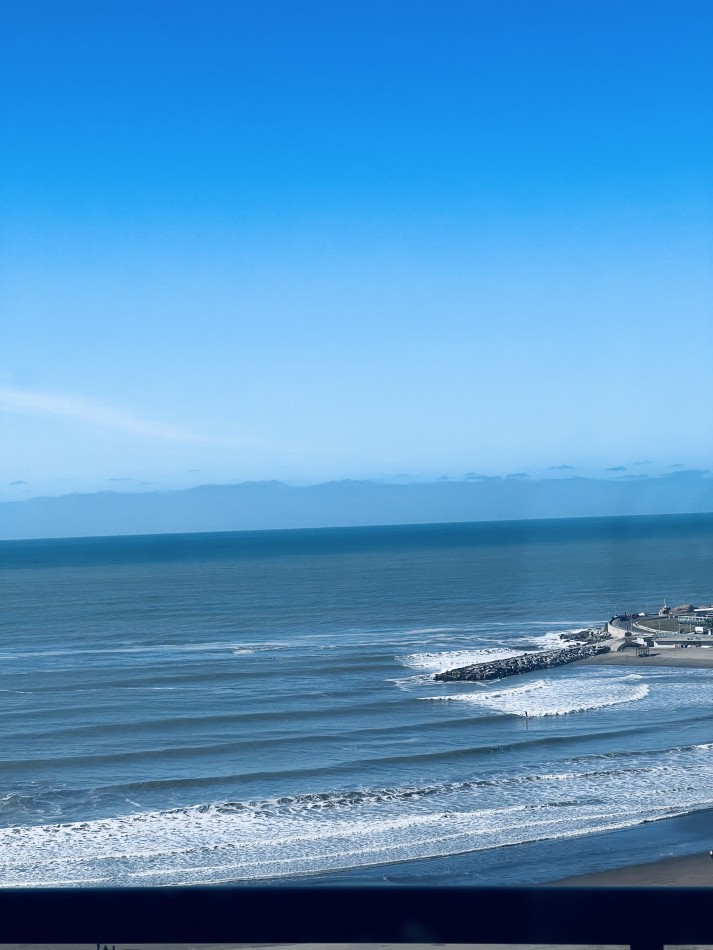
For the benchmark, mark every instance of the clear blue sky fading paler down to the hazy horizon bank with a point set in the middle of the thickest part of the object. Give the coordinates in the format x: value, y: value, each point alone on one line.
x: 312, y: 240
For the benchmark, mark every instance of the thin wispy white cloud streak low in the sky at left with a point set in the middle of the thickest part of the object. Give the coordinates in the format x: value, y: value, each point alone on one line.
x: 97, y: 414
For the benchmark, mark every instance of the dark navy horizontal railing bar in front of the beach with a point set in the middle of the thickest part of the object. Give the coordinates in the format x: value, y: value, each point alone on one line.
x: 642, y: 918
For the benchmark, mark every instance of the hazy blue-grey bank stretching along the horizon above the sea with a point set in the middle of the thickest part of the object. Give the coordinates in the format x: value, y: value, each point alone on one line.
x: 271, y: 504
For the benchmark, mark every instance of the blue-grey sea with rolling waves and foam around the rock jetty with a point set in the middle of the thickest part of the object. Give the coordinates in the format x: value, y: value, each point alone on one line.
x: 259, y: 706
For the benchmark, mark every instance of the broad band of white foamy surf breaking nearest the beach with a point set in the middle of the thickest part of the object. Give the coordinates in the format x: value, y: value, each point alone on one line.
x: 274, y: 838
